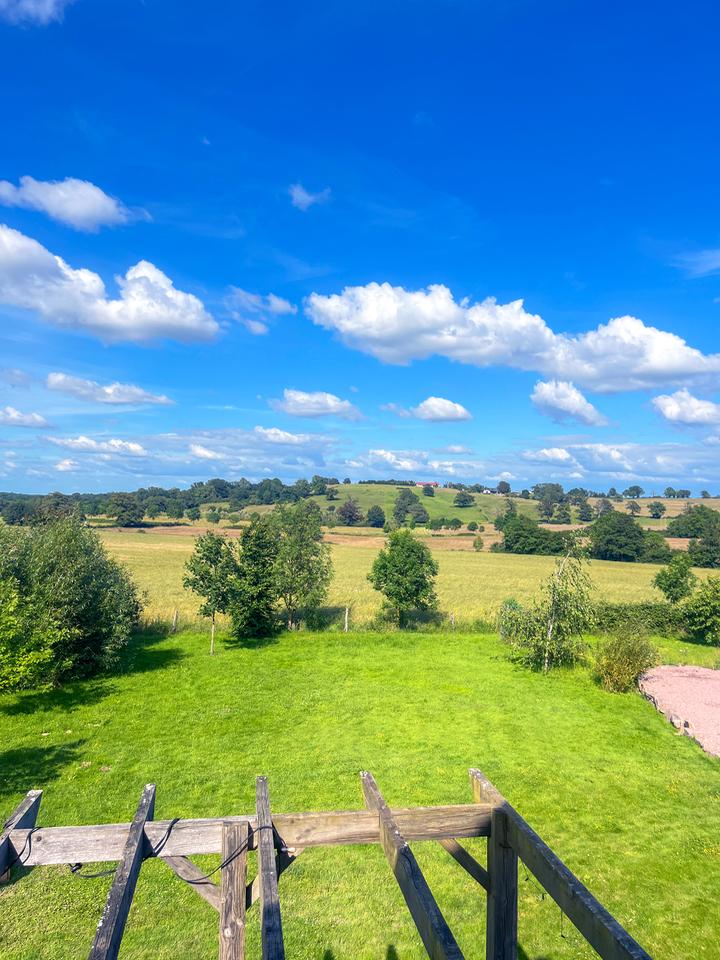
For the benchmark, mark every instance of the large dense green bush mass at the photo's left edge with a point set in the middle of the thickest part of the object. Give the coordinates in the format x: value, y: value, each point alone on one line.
x: 67, y: 609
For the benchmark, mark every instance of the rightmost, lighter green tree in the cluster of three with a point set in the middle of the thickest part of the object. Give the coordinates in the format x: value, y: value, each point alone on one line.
x: 303, y: 566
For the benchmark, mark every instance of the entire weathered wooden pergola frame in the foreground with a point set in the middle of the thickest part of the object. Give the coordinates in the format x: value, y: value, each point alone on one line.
x: 279, y: 839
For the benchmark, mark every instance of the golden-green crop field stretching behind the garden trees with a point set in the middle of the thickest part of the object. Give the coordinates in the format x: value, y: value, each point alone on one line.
x: 470, y: 585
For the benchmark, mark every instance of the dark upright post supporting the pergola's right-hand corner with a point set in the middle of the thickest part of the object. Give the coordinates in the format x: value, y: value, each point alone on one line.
x: 501, y: 928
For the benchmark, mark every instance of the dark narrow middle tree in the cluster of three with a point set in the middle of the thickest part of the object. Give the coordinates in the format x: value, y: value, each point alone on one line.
x: 253, y: 588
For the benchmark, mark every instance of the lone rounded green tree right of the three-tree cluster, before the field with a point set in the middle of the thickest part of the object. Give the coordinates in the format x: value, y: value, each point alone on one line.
x: 404, y: 571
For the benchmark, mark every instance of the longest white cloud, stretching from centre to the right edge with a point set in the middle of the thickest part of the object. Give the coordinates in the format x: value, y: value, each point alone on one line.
x: 399, y: 326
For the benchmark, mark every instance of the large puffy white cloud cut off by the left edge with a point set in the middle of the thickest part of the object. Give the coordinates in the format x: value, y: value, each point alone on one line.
x: 149, y: 306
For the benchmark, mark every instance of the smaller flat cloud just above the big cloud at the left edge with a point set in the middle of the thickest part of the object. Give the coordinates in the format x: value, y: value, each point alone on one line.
x: 77, y: 203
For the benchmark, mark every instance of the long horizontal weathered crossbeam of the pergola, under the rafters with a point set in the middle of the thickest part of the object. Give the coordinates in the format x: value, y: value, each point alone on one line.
x: 101, y: 842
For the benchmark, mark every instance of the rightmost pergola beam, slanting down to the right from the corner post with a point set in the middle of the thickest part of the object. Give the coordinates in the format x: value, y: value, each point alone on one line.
x: 601, y: 930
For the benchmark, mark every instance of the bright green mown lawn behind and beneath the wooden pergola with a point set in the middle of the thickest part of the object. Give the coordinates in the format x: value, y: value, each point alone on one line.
x: 630, y: 805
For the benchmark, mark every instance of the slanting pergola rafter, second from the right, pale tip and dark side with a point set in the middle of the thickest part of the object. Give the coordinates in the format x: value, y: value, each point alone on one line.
x: 432, y: 927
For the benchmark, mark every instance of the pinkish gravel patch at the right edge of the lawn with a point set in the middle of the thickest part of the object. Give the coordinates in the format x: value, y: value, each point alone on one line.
x: 690, y: 699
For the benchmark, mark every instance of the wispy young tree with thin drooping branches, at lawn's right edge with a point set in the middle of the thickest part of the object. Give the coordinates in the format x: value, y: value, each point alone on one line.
x: 549, y: 633
